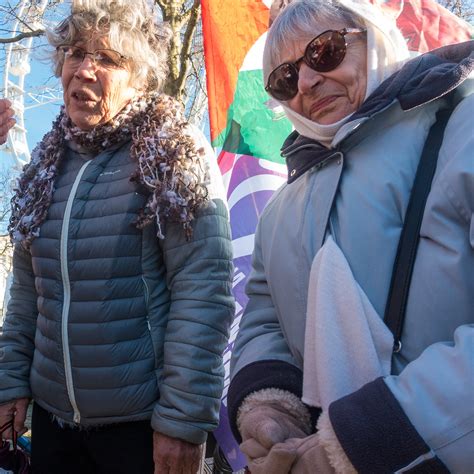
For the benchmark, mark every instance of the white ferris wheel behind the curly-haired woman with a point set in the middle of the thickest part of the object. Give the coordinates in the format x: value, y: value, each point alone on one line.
x: 17, y: 67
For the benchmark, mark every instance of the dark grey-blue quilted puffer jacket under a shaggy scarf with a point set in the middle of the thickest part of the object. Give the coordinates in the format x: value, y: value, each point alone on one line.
x: 107, y: 323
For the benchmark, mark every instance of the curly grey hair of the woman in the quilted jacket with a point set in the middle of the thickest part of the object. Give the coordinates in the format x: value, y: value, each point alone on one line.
x: 130, y: 29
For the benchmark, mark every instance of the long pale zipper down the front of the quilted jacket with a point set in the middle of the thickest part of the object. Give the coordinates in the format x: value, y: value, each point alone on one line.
x: 67, y: 293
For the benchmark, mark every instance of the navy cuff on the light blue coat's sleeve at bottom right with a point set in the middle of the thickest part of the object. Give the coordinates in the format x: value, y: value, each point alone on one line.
x: 377, y: 436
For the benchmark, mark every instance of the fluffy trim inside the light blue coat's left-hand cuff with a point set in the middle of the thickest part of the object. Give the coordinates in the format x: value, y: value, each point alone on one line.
x: 287, y: 400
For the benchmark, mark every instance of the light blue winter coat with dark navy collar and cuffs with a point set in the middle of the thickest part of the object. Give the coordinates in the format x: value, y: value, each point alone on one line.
x: 421, y: 417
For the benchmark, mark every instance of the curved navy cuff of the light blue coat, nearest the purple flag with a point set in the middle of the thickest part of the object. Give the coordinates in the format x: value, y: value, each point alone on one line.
x: 260, y: 375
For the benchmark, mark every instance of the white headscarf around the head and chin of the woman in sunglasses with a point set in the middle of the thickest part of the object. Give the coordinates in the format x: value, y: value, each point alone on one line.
x: 386, y: 53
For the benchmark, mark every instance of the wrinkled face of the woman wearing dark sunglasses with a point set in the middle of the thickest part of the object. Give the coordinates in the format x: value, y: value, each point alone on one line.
x: 327, y: 97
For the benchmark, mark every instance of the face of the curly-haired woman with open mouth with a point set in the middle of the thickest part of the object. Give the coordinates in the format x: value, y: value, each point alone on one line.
x: 95, y: 93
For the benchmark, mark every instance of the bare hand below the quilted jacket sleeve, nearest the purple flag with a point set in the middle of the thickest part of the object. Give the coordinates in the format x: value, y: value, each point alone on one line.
x: 175, y: 456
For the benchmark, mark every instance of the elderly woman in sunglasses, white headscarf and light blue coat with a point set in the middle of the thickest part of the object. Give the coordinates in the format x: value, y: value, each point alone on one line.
x: 314, y: 386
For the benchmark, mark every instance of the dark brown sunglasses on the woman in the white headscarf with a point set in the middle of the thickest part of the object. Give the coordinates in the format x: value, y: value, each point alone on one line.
x: 322, y: 54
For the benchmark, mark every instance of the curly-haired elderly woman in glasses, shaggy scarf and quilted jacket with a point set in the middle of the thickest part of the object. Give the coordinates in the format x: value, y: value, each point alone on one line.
x: 121, y: 297
